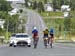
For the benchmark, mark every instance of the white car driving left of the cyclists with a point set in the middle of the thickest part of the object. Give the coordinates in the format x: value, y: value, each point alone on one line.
x: 20, y: 39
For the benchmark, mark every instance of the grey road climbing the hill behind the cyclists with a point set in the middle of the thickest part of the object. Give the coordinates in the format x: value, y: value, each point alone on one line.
x: 34, y: 19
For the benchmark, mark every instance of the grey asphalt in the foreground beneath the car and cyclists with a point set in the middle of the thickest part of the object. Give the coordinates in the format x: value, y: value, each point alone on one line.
x: 40, y: 51
